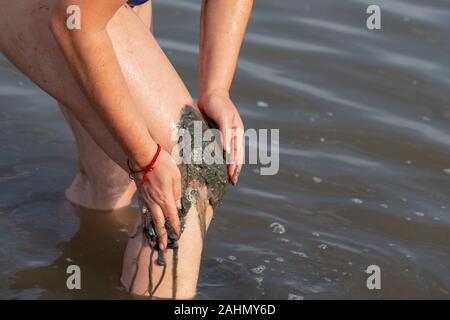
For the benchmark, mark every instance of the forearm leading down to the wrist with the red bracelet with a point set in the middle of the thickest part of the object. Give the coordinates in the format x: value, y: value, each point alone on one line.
x: 94, y: 64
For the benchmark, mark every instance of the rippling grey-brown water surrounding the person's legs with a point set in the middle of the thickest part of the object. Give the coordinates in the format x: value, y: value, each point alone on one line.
x: 364, y: 171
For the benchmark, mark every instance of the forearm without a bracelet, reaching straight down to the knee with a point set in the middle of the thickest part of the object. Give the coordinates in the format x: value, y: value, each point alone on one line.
x: 223, y: 24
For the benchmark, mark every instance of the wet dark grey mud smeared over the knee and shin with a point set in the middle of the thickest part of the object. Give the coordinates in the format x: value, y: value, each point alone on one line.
x: 203, y: 185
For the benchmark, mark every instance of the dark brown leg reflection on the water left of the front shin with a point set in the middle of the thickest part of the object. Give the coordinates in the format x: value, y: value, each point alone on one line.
x: 97, y: 248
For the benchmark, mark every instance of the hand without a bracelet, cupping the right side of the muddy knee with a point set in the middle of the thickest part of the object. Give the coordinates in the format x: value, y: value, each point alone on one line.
x: 219, y: 108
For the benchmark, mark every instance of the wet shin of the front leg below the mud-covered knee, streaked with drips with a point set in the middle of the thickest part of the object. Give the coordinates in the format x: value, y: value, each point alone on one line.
x: 142, y: 275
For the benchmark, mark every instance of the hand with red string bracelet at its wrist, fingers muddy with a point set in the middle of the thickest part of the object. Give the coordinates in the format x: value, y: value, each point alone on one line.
x: 161, y: 194
